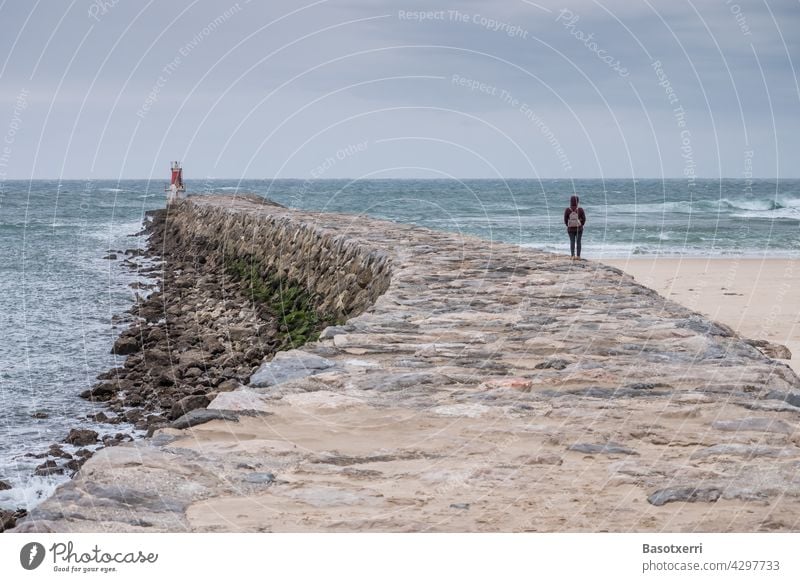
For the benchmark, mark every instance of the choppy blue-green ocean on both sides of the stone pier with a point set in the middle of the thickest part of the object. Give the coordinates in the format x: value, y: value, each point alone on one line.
x: 59, y: 296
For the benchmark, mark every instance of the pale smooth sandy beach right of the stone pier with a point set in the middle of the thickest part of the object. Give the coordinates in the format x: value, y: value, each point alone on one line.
x: 756, y: 297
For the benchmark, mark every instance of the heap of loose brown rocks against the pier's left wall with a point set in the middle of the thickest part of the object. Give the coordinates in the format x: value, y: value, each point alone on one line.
x: 200, y: 334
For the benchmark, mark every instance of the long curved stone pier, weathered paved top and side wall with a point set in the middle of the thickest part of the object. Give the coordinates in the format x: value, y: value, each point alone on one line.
x: 476, y: 386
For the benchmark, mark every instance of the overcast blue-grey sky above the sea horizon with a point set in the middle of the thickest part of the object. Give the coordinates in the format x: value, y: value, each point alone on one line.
x: 399, y: 89
